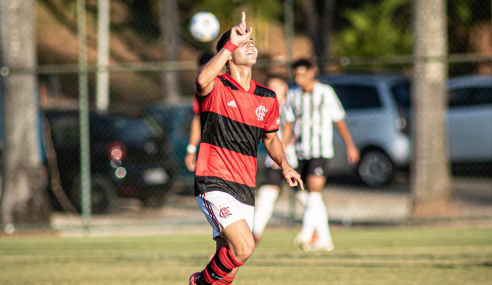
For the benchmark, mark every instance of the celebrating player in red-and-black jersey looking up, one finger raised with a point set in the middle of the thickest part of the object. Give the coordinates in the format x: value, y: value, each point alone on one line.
x: 236, y: 112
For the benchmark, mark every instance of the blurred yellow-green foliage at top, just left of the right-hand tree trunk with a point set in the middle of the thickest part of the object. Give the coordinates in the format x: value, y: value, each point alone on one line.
x: 376, y: 29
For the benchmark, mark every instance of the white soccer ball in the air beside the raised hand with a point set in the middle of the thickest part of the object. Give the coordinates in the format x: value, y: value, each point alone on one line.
x: 204, y: 26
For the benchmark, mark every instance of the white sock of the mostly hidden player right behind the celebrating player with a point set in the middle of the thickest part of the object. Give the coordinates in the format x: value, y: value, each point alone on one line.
x: 267, y: 195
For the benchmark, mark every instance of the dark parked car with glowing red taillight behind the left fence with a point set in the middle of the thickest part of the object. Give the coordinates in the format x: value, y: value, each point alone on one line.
x: 128, y: 154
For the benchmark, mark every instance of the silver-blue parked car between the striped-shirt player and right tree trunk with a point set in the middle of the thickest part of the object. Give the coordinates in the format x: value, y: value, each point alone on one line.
x: 378, y: 117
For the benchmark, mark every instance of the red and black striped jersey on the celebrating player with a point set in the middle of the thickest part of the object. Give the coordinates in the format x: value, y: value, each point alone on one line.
x: 233, y: 122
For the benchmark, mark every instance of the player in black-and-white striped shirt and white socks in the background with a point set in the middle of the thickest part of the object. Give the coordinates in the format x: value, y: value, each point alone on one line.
x: 312, y: 110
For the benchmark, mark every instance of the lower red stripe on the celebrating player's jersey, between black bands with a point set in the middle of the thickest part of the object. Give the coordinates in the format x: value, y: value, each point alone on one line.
x: 228, y: 165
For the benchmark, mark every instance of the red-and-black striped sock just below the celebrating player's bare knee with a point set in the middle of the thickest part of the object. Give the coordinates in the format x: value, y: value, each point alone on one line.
x: 221, y: 264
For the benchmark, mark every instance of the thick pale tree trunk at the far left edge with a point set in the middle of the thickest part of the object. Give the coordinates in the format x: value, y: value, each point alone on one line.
x: 23, y: 199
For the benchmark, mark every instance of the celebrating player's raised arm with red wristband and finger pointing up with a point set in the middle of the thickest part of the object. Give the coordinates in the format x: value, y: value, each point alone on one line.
x: 238, y: 35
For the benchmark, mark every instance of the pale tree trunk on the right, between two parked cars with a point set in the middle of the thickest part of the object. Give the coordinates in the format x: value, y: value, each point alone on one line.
x: 431, y: 188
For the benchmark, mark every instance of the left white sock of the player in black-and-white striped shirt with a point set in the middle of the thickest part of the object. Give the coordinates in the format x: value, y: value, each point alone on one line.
x: 311, y: 218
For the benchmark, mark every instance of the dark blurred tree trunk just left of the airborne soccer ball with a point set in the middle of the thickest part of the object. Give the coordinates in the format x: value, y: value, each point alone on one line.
x: 168, y: 21
